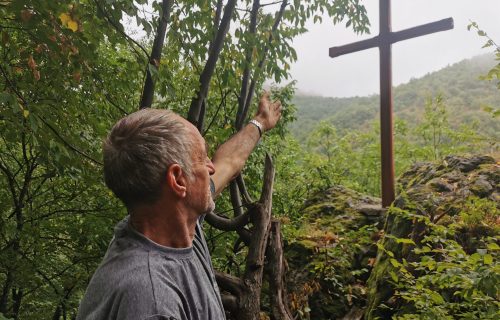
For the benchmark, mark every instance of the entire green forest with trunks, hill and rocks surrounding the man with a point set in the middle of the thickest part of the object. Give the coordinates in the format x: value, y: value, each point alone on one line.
x: 300, y: 233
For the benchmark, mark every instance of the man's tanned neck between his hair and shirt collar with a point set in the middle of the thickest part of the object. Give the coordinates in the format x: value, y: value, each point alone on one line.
x: 173, y: 228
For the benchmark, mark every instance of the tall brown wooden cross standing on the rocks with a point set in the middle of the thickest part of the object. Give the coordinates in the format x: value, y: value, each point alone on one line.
x: 384, y: 41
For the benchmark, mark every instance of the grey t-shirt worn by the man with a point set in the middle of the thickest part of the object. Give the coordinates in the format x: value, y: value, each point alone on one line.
x: 139, y: 279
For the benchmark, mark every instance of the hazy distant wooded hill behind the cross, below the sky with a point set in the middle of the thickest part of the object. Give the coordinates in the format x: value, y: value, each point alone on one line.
x: 465, y: 96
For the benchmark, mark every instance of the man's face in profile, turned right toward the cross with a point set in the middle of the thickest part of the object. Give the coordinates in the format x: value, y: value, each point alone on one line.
x: 198, y: 194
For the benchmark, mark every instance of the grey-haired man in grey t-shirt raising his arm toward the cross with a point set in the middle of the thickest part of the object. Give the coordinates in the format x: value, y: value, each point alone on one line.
x: 157, y: 266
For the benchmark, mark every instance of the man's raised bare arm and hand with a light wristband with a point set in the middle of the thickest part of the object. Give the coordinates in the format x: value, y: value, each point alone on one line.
x: 231, y: 156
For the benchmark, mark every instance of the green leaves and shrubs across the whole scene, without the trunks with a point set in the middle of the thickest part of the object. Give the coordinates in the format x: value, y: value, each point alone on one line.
x: 68, y: 73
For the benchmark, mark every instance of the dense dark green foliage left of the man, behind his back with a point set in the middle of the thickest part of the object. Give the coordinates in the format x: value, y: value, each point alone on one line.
x: 56, y: 107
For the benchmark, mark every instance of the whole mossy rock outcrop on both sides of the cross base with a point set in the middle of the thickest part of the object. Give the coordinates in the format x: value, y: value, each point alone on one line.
x: 335, y: 271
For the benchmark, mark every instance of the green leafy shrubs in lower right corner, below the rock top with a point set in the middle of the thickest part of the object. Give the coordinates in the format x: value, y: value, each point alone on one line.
x: 445, y: 281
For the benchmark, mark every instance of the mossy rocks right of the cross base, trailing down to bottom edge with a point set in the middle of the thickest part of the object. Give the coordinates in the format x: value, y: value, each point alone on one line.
x: 440, y: 192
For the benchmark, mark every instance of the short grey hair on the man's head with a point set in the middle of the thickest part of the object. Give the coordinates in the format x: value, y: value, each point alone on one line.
x: 138, y: 151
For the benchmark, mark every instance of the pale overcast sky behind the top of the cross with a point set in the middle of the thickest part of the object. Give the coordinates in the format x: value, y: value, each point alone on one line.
x: 358, y: 73
